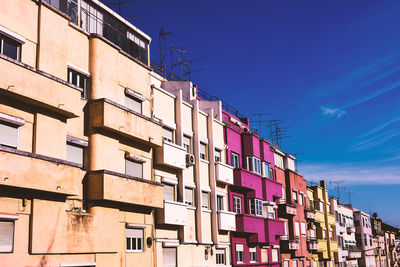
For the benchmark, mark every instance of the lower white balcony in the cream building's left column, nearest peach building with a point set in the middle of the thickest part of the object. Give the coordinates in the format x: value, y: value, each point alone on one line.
x: 174, y: 213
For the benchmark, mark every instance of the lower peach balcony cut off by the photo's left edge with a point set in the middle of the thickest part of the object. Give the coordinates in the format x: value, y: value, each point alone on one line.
x: 36, y: 172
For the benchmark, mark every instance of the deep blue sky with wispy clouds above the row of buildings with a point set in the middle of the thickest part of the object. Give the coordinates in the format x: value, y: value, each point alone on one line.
x: 330, y: 69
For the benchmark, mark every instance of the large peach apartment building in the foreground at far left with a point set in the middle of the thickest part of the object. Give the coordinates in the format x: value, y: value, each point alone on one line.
x: 77, y: 137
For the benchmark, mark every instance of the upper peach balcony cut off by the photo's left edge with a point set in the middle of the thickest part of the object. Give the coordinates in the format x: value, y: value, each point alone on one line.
x: 25, y: 84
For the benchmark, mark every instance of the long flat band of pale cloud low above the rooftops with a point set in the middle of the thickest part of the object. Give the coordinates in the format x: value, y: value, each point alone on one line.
x: 351, y: 173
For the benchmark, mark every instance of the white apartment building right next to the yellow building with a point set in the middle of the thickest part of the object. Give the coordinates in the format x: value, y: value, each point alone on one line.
x: 348, y: 253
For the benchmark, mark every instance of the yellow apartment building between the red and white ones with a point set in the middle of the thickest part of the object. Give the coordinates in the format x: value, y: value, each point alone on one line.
x: 325, y: 226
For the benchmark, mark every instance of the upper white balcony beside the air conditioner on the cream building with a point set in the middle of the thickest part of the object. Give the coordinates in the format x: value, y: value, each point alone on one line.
x: 171, y: 155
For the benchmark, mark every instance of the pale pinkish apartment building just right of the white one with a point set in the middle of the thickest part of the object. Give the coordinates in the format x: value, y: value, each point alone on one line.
x: 364, y: 238
